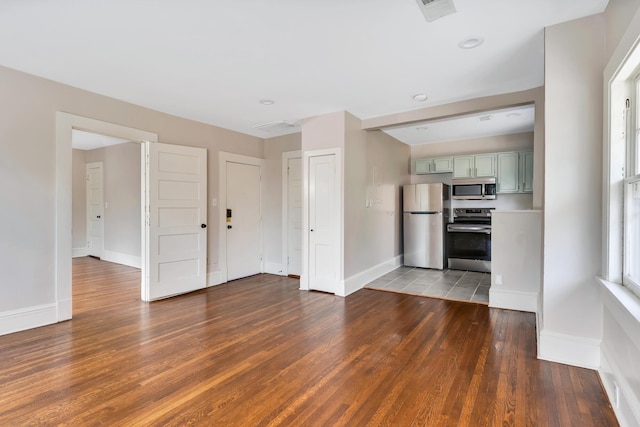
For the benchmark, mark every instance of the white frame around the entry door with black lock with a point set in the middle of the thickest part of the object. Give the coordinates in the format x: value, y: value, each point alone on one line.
x: 223, y: 158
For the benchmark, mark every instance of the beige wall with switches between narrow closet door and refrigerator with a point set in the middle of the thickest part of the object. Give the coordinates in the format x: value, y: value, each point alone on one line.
x: 375, y: 168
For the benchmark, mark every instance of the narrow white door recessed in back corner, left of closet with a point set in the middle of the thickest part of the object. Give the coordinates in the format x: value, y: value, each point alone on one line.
x: 294, y: 216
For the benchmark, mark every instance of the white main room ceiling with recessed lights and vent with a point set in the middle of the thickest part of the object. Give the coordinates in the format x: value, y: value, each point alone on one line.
x: 214, y: 61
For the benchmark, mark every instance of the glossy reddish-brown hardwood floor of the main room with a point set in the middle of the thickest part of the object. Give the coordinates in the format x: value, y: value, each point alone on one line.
x: 258, y: 351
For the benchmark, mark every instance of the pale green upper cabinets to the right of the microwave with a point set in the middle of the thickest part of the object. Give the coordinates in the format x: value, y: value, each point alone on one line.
x: 515, y: 172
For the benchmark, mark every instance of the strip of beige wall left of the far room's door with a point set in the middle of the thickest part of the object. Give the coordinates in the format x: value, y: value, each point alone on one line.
x: 79, y: 195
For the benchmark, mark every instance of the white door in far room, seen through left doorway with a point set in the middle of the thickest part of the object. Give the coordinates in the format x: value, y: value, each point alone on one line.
x: 95, y: 209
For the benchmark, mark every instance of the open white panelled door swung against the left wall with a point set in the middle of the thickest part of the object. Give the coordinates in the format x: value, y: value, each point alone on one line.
x: 176, y: 243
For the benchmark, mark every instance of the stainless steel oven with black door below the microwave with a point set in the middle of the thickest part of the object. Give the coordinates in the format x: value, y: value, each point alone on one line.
x: 469, y: 240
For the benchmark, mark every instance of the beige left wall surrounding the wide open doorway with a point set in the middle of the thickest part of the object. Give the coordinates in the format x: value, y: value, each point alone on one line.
x: 28, y: 171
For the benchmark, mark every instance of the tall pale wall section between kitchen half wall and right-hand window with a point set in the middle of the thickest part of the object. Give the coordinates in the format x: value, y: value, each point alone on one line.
x: 574, y: 62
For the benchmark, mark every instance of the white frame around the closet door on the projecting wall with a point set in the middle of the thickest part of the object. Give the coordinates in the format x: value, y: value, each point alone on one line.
x: 339, y: 195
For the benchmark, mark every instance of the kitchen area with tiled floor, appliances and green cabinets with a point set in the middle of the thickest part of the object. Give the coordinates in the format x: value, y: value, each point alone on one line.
x: 469, y: 227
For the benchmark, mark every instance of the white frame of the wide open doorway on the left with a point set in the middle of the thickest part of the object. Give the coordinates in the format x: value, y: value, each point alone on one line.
x: 65, y: 122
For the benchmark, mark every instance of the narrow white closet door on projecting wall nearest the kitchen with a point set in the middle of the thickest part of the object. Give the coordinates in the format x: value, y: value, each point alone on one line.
x: 323, y: 224
